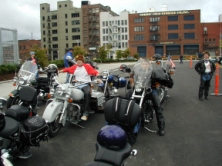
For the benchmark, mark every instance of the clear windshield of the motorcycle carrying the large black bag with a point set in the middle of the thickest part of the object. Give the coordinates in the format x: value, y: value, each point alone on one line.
x: 142, y: 72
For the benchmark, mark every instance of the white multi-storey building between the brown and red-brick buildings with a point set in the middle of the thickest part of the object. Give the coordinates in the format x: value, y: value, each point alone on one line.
x: 115, y: 31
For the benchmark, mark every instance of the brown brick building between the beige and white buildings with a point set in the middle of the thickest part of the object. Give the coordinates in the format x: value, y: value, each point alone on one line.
x: 91, y: 26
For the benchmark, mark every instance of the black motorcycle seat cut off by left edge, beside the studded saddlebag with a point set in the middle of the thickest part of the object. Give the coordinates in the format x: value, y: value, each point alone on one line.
x: 11, y: 126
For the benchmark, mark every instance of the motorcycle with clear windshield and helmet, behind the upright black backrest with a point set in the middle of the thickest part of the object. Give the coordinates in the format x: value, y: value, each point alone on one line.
x: 27, y: 77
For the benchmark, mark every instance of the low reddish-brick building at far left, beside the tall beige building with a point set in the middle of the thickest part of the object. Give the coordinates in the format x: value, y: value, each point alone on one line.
x: 25, y: 47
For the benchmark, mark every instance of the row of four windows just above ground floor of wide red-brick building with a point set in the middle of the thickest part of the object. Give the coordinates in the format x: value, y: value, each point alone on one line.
x: 170, y: 36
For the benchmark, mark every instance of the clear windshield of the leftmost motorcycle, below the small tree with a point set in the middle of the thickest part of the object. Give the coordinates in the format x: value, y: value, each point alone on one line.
x: 28, y: 71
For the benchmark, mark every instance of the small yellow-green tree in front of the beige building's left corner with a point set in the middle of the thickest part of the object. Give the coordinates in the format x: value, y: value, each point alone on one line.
x: 41, y: 55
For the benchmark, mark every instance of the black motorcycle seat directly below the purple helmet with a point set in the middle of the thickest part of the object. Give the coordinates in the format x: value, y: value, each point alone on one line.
x: 114, y: 157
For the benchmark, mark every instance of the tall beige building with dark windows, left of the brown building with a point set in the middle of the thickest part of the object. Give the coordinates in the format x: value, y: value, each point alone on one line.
x: 60, y: 29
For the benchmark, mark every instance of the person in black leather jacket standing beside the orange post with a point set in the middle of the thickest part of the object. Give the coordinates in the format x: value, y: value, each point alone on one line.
x: 205, y: 68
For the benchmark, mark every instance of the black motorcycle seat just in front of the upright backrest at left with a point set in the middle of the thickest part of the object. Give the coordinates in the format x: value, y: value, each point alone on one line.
x: 18, y: 112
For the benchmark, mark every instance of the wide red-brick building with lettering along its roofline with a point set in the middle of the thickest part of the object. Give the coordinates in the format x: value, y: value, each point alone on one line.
x: 165, y: 33
